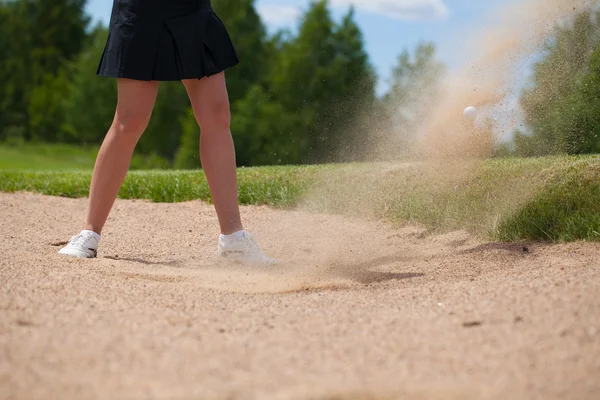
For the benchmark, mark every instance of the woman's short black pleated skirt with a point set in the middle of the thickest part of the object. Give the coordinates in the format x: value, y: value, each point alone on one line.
x: 166, y: 40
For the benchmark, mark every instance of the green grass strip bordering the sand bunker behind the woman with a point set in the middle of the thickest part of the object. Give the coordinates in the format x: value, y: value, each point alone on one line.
x: 554, y: 198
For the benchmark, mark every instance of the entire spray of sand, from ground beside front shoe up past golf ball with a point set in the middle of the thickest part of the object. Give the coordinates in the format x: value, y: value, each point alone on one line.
x: 341, y: 251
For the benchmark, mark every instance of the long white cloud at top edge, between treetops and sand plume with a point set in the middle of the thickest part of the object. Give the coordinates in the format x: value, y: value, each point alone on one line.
x: 411, y: 10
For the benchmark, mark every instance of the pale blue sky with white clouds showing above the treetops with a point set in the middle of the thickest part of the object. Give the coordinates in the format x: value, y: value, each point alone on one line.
x: 389, y: 26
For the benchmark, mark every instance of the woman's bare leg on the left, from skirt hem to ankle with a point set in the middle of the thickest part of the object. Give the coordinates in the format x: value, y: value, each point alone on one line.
x: 134, y: 107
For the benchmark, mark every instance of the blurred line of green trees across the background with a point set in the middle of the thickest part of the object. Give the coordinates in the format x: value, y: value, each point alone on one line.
x: 296, y: 97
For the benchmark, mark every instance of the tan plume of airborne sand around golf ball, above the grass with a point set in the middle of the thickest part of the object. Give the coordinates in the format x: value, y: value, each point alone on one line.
x: 499, y: 56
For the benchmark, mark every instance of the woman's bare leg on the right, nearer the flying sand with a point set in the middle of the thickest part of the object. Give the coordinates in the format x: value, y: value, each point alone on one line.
x: 210, y: 103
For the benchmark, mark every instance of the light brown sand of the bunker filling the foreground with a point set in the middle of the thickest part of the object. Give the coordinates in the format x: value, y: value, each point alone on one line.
x: 355, y: 310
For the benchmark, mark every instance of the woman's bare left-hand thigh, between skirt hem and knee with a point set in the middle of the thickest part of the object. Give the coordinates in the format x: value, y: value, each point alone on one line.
x: 136, y: 99
